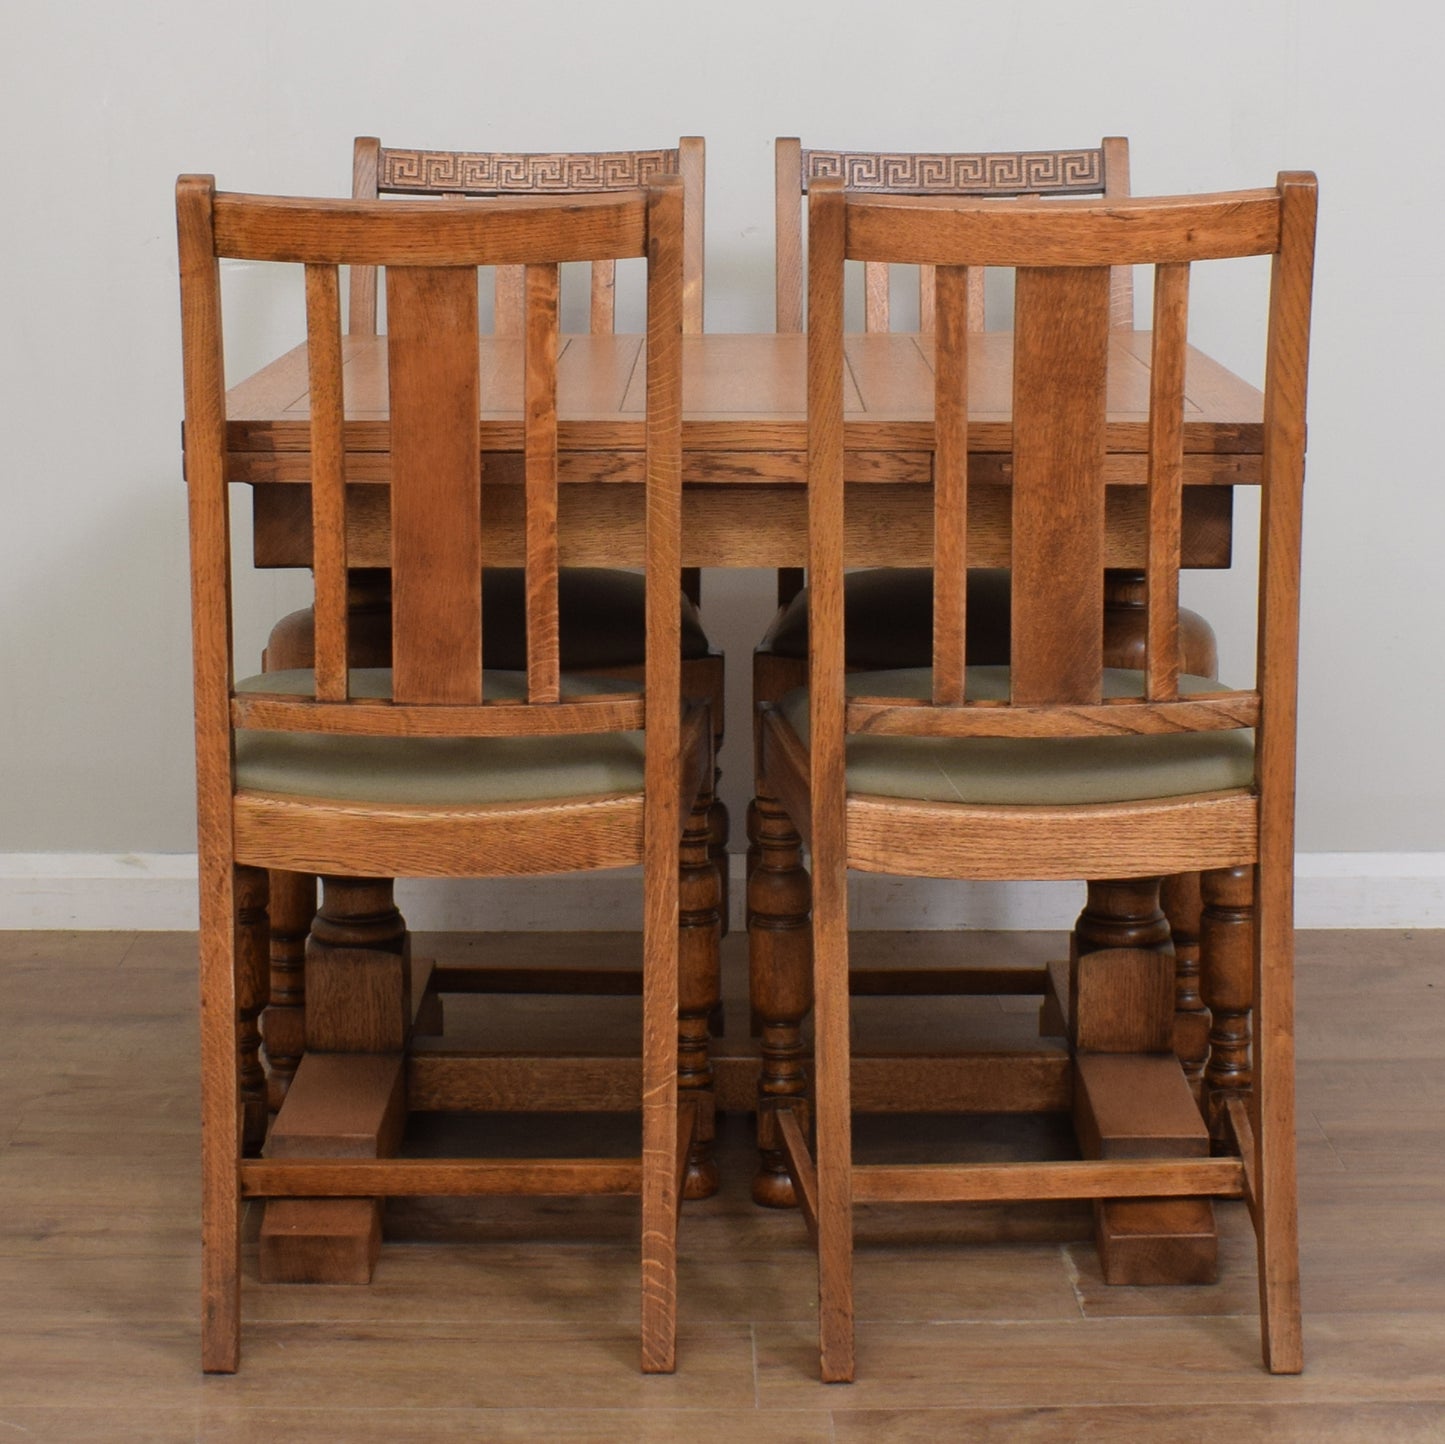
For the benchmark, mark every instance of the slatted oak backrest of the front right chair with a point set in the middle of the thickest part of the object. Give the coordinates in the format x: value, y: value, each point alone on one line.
x: 1063, y: 345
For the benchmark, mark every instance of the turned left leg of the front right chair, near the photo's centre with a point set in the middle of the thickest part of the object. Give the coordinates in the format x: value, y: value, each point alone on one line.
x: 780, y: 949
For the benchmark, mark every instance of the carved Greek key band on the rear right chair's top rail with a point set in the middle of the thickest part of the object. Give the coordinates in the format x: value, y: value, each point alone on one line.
x: 1001, y: 173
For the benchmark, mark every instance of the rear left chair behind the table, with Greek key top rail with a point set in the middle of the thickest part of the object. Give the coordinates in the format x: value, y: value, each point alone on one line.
x: 602, y: 611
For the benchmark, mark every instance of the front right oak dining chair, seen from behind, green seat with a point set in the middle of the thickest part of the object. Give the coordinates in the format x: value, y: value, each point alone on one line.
x: 1057, y: 765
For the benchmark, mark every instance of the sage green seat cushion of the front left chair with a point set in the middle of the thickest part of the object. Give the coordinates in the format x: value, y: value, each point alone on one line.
x: 437, y: 771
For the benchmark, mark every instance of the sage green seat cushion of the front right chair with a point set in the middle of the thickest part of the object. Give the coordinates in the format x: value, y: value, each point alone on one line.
x: 1024, y: 771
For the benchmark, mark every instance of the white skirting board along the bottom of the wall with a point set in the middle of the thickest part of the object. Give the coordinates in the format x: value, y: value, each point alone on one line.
x: 155, y: 893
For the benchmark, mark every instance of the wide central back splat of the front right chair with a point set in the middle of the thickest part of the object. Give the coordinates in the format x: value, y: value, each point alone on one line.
x: 1061, y: 361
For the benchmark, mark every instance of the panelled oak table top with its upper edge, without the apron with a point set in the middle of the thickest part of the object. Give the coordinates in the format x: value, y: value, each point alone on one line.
x: 745, y: 392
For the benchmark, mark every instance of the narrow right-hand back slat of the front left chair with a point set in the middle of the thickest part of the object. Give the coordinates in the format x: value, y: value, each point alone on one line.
x: 540, y: 447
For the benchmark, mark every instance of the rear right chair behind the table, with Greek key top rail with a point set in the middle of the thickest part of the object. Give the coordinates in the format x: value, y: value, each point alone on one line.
x: 889, y: 621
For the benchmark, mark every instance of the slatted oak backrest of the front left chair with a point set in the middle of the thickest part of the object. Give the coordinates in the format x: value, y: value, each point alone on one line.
x: 430, y: 254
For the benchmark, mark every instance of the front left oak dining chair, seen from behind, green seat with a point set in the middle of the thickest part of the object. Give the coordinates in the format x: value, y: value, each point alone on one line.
x: 439, y: 765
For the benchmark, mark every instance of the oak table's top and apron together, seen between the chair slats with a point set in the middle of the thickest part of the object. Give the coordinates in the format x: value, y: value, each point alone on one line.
x: 745, y: 450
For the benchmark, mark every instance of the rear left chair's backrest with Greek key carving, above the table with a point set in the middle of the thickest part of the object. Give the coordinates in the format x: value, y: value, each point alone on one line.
x: 379, y: 170
